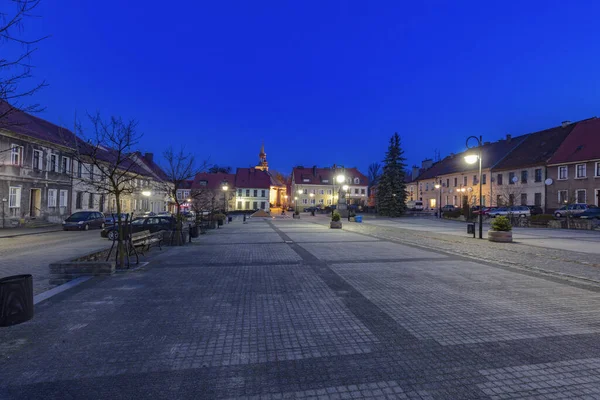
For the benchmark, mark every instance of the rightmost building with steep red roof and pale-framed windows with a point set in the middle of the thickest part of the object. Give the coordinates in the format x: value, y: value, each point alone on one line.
x: 574, y: 169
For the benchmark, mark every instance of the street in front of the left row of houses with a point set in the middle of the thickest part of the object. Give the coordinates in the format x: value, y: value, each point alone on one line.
x: 31, y: 254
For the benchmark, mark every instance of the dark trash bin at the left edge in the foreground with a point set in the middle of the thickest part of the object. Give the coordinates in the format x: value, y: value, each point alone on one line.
x: 16, y: 299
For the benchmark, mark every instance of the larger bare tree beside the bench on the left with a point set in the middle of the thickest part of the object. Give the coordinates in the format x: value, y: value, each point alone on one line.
x: 107, y: 165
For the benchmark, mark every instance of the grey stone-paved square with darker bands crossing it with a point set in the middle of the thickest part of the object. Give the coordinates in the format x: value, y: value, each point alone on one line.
x: 290, y: 309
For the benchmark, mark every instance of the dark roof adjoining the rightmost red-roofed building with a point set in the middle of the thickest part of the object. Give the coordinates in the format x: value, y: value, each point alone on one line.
x: 537, y: 148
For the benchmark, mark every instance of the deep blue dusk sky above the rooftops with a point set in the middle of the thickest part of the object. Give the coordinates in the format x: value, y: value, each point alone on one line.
x: 319, y: 82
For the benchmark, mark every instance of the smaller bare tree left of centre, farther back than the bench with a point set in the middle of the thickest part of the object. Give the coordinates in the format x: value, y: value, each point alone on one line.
x: 179, y: 168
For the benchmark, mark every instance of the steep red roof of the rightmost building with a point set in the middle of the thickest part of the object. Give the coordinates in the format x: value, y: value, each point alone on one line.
x: 582, y: 144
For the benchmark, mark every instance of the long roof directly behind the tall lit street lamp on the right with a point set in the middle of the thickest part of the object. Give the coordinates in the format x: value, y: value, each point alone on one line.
x: 492, y: 154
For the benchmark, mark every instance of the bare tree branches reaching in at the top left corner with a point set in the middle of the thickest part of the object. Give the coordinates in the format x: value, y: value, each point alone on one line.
x: 15, y: 70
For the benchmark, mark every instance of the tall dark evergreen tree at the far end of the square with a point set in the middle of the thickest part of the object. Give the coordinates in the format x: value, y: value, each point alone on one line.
x: 391, y: 191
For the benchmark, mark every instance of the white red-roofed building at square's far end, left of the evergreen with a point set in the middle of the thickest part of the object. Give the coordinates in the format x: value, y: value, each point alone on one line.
x: 319, y: 186
